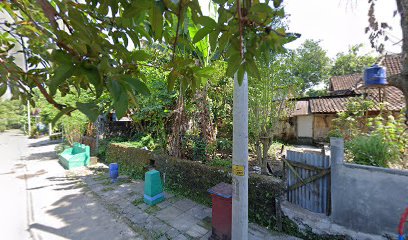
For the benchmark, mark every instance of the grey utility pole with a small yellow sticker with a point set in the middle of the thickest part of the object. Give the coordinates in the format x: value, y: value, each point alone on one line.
x: 240, y: 161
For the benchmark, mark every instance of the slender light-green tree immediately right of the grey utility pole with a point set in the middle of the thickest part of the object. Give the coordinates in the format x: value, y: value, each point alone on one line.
x: 268, y: 103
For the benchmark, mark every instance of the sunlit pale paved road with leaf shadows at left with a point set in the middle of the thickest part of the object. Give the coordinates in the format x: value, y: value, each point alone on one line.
x: 38, y: 201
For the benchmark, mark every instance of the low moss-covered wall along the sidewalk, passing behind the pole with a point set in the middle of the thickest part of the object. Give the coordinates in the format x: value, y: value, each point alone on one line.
x: 192, y: 179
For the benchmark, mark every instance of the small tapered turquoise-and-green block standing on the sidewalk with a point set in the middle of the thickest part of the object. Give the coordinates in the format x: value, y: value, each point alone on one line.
x: 153, y: 188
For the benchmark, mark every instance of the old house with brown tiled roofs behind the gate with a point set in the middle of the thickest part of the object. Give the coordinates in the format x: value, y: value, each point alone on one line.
x: 311, y: 119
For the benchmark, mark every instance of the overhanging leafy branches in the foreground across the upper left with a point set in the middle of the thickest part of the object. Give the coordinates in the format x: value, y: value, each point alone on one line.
x: 99, y: 46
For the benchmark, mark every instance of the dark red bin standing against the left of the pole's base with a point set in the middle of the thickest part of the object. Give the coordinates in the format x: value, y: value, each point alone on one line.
x: 221, y: 211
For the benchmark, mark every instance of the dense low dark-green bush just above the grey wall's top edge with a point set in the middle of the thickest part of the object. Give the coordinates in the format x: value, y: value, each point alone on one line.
x: 371, y: 150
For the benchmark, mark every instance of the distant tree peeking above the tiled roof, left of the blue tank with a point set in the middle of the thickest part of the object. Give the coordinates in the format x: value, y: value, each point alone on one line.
x: 351, y: 62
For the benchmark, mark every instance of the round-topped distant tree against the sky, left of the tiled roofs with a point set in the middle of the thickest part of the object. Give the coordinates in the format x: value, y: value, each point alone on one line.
x: 311, y: 64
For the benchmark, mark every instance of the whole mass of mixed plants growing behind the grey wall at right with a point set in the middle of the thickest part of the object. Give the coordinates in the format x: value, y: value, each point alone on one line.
x: 373, y: 140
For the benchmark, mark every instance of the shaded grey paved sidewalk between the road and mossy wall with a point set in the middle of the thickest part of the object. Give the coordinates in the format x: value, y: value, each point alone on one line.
x: 175, y: 218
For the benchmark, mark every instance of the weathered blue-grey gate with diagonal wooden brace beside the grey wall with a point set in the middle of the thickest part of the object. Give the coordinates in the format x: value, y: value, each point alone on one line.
x: 308, y: 180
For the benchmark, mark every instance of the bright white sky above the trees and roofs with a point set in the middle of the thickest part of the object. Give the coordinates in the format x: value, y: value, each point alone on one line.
x: 338, y: 24
